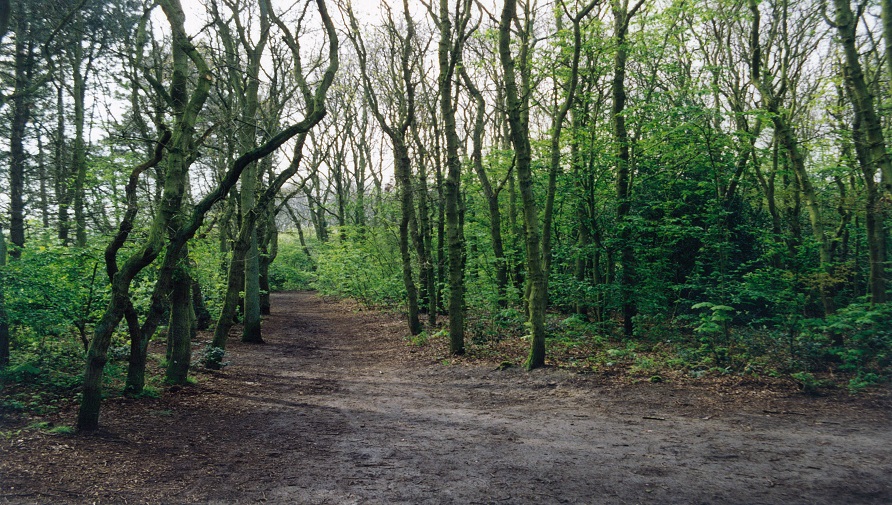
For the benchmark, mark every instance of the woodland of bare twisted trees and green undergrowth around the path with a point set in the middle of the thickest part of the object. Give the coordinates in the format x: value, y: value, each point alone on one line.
x: 709, y: 180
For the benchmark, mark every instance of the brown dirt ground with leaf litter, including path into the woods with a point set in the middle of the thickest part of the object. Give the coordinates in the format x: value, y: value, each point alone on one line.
x: 337, y: 408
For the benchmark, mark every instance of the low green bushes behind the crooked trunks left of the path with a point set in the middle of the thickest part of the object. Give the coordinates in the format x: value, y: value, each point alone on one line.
x: 53, y: 297
